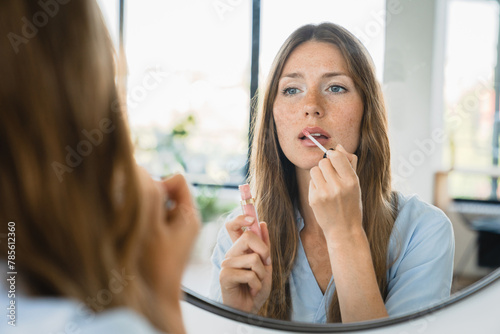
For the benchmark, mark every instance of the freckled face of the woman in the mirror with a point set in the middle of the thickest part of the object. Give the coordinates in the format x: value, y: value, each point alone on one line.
x: 316, y: 93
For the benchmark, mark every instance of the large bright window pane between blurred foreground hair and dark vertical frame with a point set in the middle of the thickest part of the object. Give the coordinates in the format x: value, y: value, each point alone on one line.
x: 188, y: 95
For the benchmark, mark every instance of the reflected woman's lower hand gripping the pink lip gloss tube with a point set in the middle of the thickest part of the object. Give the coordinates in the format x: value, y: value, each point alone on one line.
x: 246, y: 271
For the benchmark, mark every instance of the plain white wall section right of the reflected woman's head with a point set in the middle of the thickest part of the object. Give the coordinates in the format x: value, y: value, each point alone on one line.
x: 413, y: 81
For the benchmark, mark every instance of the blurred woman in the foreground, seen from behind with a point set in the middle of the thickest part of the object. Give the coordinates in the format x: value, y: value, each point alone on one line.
x: 95, y: 250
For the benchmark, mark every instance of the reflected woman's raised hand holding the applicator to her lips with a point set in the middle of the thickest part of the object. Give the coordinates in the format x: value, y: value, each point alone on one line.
x: 335, y: 194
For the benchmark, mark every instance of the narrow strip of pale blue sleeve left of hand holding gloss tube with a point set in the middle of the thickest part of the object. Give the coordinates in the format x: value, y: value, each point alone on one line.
x: 224, y: 243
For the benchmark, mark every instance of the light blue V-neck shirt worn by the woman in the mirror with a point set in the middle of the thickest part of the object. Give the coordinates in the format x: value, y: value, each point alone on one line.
x: 421, y: 251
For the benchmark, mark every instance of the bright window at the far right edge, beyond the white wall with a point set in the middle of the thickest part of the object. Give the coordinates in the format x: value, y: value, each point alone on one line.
x: 471, y: 57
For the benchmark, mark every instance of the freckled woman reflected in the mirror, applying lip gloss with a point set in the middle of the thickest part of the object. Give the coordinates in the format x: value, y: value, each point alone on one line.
x: 339, y: 245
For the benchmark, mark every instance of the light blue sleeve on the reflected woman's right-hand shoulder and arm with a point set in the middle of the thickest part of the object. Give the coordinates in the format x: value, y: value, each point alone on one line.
x: 422, y: 273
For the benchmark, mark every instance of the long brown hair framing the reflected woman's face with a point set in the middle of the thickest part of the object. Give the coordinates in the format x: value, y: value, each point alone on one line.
x: 274, y: 179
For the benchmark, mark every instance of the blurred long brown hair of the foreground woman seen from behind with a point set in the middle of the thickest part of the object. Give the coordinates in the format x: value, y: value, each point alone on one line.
x: 68, y: 180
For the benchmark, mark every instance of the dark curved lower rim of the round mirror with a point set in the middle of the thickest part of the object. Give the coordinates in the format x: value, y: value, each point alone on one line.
x: 219, y: 309
